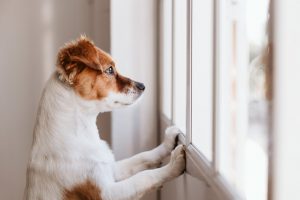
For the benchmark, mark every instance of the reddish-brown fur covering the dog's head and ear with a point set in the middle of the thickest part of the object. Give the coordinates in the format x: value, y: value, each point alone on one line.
x: 83, y: 66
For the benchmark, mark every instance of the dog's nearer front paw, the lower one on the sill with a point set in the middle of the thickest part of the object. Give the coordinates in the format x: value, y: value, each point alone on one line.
x: 177, y: 161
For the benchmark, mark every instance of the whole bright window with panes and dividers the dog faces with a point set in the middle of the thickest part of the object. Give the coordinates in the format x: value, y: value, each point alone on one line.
x: 214, y: 78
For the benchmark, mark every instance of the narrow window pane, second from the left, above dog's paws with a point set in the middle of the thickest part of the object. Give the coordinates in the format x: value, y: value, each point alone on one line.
x: 180, y: 63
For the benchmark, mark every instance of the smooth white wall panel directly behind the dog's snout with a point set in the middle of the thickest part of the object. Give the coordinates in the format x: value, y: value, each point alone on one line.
x: 134, y: 47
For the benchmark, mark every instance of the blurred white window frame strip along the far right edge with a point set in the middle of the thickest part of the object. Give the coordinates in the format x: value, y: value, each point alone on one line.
x: 285, y: 159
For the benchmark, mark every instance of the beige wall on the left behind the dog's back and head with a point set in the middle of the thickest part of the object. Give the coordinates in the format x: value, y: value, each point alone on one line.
x: 31, y: 33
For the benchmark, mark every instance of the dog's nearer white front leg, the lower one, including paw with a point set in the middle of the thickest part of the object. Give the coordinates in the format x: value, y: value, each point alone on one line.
x: 136, y: 186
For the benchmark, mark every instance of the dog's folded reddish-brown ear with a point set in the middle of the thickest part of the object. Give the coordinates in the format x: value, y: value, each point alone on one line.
x: 75, y: 56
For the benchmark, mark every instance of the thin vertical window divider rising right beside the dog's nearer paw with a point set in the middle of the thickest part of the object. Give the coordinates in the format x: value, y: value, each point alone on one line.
x: 189, y: 75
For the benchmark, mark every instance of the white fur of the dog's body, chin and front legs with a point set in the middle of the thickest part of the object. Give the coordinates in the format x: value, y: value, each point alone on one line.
x: 67, y: 150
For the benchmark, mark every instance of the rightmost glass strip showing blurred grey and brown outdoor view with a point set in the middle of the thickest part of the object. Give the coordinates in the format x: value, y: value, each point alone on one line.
x: 256, y: 147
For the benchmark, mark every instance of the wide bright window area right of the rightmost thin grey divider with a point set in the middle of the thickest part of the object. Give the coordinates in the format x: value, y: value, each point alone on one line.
x: 243, y: 97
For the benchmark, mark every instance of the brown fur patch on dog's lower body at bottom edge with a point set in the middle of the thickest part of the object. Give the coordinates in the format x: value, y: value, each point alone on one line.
x: 85, y: 191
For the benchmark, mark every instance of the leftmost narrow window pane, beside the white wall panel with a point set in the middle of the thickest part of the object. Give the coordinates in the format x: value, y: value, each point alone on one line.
x: 166, y: 58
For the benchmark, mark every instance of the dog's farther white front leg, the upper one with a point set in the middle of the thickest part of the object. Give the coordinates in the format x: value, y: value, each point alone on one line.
x: 146, y: 160
